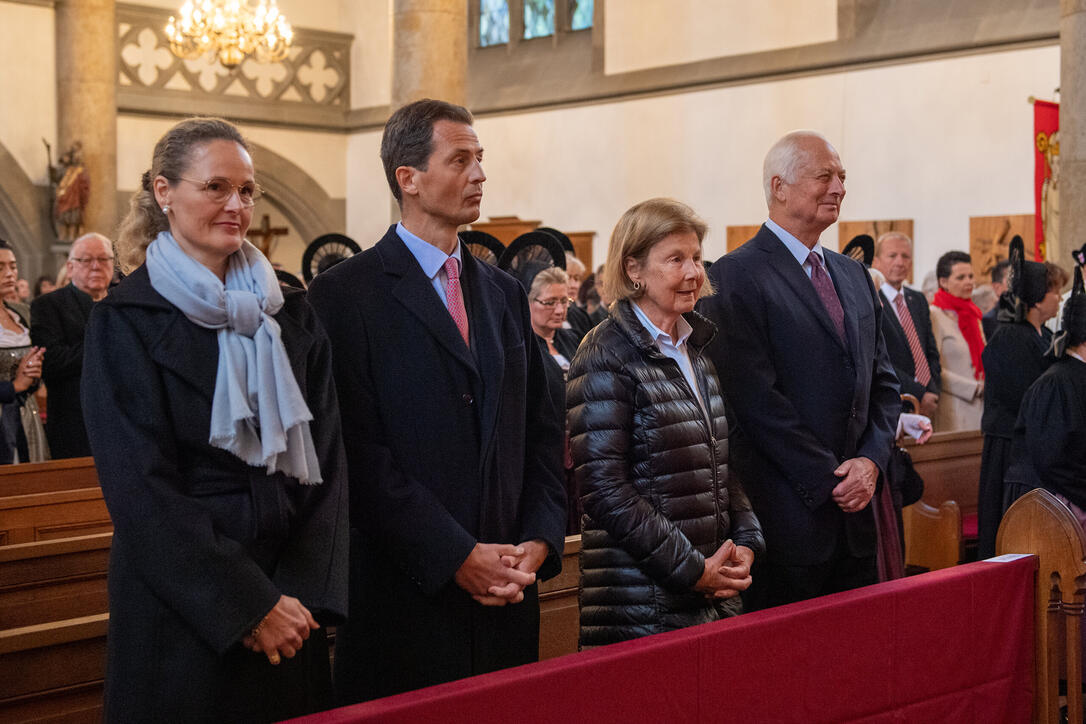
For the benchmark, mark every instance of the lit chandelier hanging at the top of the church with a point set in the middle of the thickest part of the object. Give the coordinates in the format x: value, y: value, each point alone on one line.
x: 232, y: 31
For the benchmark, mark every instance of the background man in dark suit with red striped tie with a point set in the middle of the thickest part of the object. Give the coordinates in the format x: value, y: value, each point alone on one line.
x: 908, y: 332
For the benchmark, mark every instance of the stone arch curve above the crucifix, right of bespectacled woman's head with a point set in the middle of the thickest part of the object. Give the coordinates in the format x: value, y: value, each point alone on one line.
x: 306, y: 205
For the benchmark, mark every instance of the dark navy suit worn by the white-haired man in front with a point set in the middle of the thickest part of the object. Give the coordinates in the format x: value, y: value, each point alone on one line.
x: 805, y: 401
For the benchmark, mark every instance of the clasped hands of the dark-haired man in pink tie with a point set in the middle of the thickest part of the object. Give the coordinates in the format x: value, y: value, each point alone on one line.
x: 498, y: 574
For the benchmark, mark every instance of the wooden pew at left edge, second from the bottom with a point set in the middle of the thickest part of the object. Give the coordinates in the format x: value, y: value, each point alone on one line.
x: 54, y: 580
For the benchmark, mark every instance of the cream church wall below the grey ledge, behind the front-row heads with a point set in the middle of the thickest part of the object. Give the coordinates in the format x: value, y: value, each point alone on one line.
x: 937, y: 142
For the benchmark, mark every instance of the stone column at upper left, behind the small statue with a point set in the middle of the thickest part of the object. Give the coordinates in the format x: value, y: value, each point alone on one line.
x: 86, y: 101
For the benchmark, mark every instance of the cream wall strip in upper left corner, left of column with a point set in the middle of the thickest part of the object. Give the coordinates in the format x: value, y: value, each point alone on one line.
x: 29, y: 60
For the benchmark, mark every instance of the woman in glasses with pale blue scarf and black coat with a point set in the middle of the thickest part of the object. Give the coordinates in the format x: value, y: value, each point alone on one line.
x: 212, y: 416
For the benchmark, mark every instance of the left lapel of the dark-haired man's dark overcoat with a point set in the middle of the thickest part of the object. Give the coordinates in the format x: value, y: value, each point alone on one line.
x: 415, y: 293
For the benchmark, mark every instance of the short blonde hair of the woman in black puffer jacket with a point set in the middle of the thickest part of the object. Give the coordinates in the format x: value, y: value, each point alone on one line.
x: 641, y: 228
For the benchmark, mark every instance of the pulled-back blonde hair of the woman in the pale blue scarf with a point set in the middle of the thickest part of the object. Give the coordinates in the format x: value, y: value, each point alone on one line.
x: 172, y: 155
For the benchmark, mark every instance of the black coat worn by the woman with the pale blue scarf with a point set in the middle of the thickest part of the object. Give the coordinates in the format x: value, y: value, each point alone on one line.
x: 204, y: 544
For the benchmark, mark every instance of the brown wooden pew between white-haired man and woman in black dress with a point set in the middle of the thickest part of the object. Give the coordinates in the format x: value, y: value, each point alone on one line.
x: 951, y: 466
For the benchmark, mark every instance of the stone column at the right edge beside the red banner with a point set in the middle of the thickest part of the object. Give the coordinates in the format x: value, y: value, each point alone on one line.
x: 1072, y: 132
